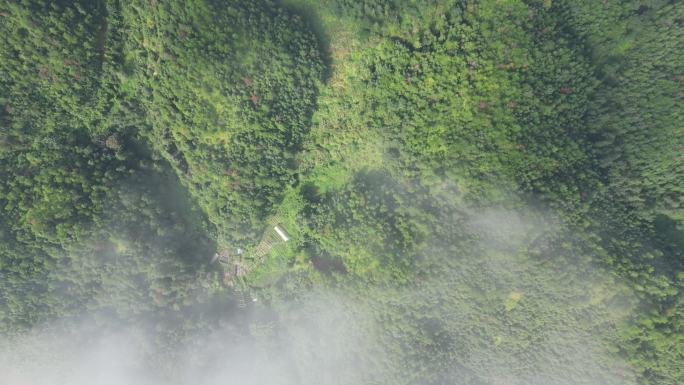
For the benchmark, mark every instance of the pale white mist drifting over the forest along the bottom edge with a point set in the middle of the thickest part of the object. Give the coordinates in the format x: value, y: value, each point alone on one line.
x: 547, y: 327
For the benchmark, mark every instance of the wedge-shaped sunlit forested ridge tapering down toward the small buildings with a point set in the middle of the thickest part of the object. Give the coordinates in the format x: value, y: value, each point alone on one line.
x: 228, y: 102
